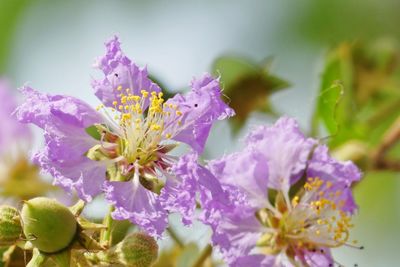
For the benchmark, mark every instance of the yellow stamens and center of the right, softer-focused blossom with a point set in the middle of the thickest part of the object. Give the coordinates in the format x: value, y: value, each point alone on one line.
x: 313, y: 219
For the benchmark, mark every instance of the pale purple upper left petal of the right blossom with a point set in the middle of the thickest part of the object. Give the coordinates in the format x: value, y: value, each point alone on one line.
x: 247, y: 170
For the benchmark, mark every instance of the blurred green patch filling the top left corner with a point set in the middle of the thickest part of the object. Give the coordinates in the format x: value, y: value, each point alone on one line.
x: 10, y: 11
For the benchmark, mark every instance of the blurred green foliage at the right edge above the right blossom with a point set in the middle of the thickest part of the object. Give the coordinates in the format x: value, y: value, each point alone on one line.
x: 359, y: 92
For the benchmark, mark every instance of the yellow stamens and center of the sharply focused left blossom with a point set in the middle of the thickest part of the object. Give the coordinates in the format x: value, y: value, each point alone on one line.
x: 136, y: 133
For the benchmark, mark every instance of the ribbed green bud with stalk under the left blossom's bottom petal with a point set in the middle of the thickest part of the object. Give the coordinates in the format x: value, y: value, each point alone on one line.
x: 136, y: 250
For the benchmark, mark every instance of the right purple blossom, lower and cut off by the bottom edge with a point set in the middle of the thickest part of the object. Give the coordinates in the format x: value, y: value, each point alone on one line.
x: 297, y: 202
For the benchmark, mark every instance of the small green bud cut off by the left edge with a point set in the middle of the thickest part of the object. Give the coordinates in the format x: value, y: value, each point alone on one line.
x: 10, y: 225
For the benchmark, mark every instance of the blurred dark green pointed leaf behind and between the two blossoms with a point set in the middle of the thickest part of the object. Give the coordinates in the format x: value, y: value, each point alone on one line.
x: 247, y: 87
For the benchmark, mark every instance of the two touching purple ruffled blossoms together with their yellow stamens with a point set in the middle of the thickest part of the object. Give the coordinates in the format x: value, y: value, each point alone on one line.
x: 281, y: 201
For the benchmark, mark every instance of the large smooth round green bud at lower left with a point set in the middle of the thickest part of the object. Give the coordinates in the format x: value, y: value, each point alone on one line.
x: 49, y: 225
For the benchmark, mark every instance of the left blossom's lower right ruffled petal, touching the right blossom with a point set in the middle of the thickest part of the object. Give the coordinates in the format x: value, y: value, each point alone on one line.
x: 193, y: 182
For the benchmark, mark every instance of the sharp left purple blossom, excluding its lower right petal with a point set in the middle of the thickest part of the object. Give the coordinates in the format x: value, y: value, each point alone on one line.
x: 122, y: 148
